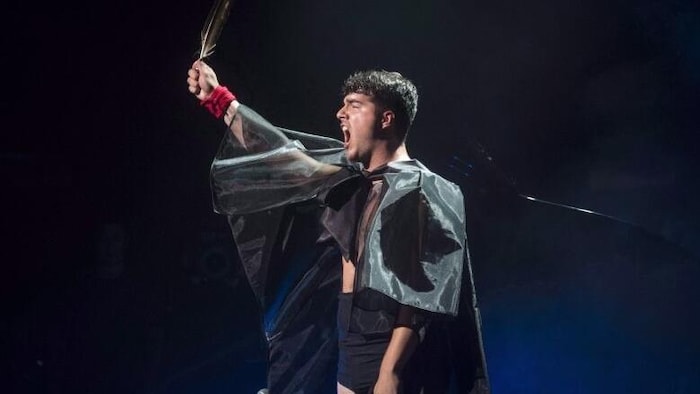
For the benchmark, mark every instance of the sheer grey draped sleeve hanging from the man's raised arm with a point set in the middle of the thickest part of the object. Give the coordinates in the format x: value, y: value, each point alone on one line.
x: 259, y: 166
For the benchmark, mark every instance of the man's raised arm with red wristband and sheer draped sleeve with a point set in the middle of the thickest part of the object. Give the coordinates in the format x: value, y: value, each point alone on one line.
x: 257, y: 166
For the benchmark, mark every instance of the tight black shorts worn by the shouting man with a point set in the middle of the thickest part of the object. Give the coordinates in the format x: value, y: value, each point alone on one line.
x: 359, y: 355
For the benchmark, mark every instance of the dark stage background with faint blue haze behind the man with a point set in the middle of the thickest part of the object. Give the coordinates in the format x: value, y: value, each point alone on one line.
x: 118, y: 277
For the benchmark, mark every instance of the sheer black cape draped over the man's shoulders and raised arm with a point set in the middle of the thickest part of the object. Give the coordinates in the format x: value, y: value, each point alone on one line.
x: 286, y: 196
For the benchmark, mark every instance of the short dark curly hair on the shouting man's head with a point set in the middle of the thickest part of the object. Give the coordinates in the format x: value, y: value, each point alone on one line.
x: 390, y: 90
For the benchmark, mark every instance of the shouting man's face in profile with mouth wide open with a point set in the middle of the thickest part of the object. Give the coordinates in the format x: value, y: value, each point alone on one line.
x: 360, y: 122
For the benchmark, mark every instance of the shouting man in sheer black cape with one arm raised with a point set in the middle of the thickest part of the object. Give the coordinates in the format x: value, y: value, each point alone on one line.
x: 398, y: 227
